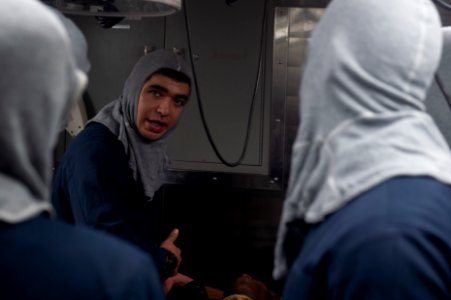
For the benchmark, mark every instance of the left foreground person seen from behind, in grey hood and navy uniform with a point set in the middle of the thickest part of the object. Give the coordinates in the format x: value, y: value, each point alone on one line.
x: 41, y: 258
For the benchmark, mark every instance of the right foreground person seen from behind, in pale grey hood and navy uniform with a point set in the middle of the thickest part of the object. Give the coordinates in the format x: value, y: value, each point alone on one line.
x: 367, y: 213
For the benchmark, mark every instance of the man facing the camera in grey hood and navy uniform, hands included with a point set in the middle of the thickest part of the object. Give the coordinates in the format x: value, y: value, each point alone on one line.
x: 111, y: 170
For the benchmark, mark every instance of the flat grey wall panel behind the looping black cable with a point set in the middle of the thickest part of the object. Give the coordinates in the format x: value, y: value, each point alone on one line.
x: 230, y: 50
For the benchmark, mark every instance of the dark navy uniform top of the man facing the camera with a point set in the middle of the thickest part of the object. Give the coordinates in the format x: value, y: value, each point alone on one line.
x: 94, y: 186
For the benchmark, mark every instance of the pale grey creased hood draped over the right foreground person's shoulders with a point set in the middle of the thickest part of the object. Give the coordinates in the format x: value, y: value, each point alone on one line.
x: 369, y: 66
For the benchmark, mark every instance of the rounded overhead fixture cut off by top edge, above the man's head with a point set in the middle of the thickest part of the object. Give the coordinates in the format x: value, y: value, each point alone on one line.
x: 117, y: 8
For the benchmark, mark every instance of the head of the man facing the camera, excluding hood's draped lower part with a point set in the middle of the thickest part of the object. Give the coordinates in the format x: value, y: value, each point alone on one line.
x: 158, y: 89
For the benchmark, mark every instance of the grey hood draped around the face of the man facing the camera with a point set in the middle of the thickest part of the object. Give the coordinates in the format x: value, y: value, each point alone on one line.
x: 147, y: 155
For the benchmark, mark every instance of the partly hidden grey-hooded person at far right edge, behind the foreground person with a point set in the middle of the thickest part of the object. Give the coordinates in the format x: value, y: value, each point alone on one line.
x: 438, y: 101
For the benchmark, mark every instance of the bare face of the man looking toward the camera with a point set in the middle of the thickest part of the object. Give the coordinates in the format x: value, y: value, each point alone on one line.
x: 160, y: 106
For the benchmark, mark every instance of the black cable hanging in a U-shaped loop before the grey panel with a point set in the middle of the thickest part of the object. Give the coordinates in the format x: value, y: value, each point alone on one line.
x: 201, y: 110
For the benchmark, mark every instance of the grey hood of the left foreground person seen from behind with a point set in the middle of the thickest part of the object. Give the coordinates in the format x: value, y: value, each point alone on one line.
x: 39, y: 83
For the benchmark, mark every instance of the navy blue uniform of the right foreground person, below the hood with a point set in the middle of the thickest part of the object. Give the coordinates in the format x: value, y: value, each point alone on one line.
x: 392, y: 242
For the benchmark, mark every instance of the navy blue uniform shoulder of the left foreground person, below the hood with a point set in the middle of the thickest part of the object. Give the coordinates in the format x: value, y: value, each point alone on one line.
x: 72, y: 263
